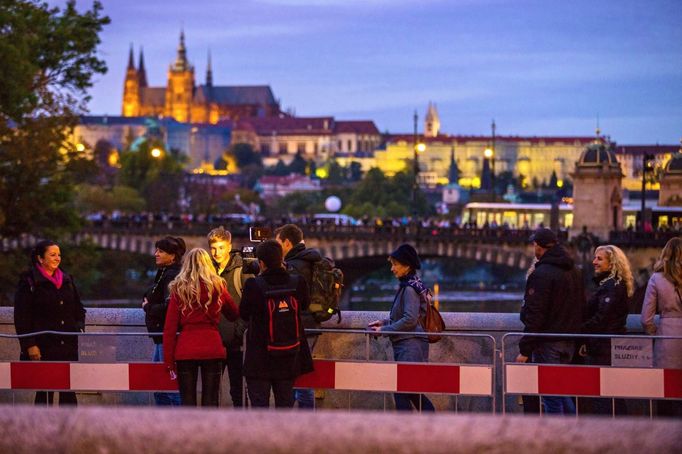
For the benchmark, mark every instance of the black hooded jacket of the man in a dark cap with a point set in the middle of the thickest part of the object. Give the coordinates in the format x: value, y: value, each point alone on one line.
x: 554, y: 299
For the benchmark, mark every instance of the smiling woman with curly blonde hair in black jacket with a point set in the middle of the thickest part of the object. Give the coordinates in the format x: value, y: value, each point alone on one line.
x: 607, y: 311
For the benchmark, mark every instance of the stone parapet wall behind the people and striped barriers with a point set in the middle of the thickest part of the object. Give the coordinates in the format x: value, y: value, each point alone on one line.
x: 337, y: 345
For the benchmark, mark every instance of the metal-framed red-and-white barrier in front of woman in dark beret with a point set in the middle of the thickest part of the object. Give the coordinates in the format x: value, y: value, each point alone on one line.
x: 395, y: 377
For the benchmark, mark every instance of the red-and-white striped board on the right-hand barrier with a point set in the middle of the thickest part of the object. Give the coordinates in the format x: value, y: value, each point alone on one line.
x: 593, y: 381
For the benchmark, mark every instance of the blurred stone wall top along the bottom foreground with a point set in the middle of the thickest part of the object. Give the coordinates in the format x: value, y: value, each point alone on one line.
x: 151, y: 430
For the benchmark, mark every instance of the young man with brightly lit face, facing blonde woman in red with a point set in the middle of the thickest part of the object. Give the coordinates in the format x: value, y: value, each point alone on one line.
x: 231, y: 268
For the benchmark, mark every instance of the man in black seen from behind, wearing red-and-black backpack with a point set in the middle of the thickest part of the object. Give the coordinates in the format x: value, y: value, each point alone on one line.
x: 264, y: 371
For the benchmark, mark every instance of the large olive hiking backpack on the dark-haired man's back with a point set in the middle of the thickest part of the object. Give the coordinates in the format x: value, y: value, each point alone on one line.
x: 325, y: 290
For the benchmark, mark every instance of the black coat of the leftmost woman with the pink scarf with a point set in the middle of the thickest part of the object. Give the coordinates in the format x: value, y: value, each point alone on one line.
x: 40, y: 306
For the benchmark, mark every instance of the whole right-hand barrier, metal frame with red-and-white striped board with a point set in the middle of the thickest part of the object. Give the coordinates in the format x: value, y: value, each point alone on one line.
x: 594, y: 381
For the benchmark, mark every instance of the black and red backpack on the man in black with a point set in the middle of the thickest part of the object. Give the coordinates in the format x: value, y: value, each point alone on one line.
x: 283, y: 319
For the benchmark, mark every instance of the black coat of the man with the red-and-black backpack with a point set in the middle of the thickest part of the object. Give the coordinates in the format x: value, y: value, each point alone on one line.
x: 253, y: 309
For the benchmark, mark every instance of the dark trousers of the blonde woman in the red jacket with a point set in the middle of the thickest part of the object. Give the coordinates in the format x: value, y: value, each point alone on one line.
x: 188, y: 372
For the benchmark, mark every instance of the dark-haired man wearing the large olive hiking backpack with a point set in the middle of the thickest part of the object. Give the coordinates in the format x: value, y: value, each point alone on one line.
x: 299, y: 261
